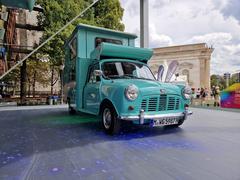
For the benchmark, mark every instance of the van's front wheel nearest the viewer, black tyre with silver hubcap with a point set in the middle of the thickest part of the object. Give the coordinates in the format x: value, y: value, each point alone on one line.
x: 110, y: 122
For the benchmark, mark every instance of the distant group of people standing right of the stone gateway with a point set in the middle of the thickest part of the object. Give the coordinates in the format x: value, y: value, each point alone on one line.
x: 203, y: 93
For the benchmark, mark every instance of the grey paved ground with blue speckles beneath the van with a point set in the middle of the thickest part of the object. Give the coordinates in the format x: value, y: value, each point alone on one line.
x: 47, y: 143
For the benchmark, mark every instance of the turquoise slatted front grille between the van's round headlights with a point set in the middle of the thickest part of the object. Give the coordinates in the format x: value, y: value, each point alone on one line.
x: 160, y: 103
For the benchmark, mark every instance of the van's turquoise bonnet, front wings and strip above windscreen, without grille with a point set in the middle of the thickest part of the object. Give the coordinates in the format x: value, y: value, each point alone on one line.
x: 113, y: 90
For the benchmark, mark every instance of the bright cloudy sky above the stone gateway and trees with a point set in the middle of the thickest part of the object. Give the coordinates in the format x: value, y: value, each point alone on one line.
x: 178, y: 22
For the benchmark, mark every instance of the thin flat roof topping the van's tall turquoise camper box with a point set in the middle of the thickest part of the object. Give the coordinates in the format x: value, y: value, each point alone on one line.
x: 101, y: 30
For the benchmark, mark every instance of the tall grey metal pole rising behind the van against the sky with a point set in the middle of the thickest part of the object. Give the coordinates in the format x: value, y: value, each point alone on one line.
x: 144, y: 23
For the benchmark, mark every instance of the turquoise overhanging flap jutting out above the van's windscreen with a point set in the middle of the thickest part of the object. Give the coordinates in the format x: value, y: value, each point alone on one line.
x: 108, y: 50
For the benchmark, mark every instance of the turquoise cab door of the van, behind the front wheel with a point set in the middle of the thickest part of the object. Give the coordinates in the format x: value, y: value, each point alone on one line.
x: 92, y: 91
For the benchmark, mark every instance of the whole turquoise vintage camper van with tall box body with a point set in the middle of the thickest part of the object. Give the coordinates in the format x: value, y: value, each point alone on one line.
x: 106, y: 75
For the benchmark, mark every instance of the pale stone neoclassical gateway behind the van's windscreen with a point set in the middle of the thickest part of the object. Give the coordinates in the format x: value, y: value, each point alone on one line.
x: 193, y: 59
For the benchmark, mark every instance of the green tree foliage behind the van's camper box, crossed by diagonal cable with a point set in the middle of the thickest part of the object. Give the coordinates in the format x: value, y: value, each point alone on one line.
x: 106, y: 13
